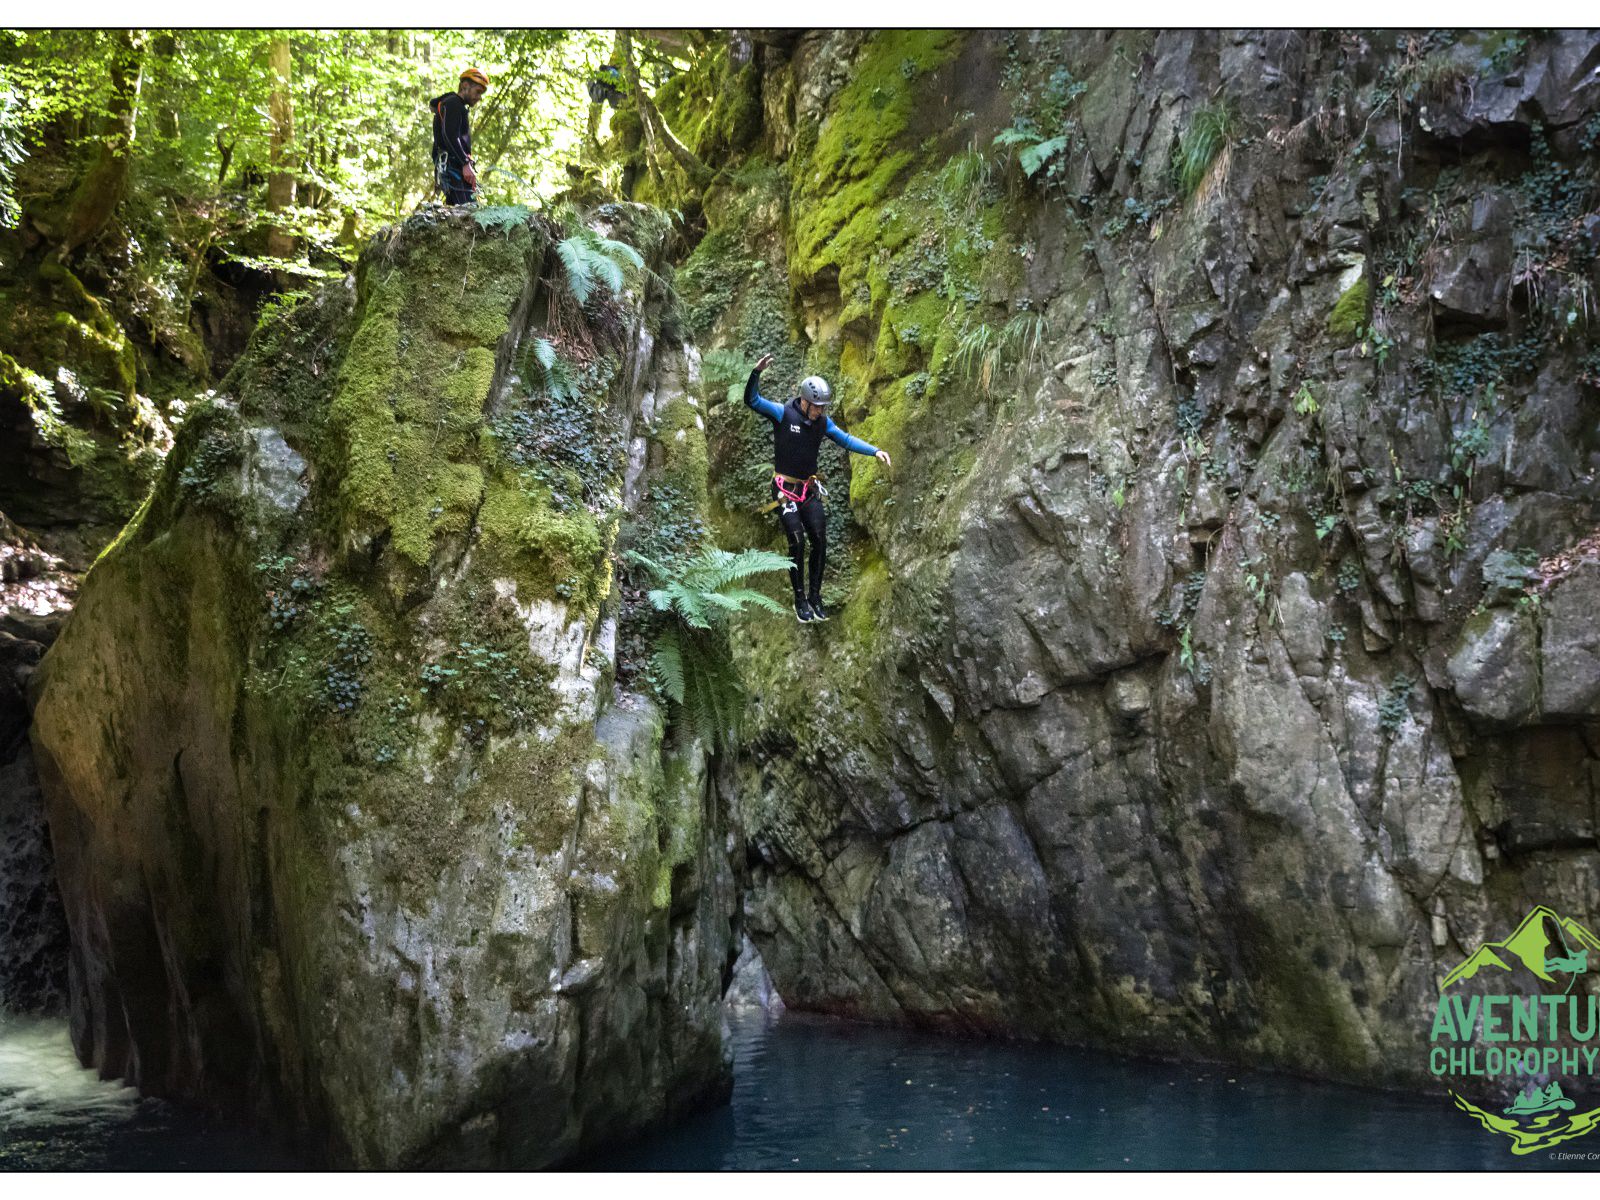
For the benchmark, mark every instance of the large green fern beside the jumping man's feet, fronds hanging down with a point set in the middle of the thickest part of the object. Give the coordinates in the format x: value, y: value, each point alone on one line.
x: 690, y: 658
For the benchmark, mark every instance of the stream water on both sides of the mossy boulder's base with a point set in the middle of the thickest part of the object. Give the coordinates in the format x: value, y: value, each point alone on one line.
x: 814, y: 1094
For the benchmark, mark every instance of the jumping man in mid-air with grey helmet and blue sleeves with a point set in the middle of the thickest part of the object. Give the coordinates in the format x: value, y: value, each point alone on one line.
x: 799, y: 430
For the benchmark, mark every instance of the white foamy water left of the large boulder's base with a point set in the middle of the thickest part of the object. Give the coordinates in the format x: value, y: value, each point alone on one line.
x: 42, y: 1084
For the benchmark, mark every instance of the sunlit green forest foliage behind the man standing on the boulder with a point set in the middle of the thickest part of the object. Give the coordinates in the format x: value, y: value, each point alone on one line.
x: 282, y: 146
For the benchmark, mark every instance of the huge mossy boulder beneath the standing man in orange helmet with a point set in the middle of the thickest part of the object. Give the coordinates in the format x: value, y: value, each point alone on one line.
x: 348, y: 818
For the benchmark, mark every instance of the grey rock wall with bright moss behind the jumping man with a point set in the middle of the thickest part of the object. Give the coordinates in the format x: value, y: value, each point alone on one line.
x: 1218, y: 665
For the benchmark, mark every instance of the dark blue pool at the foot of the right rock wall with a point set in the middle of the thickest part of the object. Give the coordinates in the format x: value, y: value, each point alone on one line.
x: 814, y: 1094
